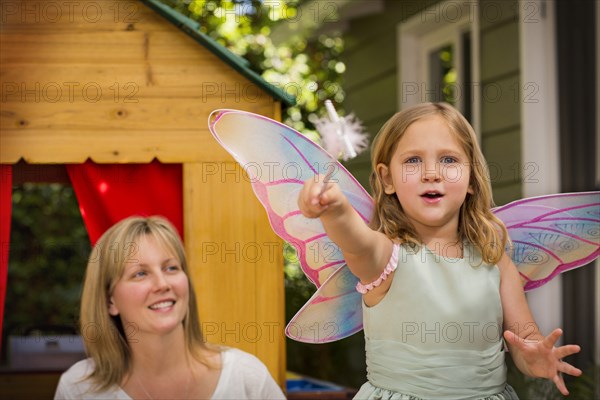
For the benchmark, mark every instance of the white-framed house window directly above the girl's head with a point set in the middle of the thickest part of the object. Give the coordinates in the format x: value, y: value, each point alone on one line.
x: 436, y: 56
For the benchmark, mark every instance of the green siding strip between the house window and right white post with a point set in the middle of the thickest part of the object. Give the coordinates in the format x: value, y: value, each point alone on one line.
x: 501, y: 97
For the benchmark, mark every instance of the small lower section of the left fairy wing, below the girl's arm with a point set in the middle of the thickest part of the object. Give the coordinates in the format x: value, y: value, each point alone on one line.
x: 332, y: 313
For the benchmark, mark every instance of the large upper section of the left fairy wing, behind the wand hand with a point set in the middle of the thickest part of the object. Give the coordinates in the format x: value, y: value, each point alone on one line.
x: 278, y: 160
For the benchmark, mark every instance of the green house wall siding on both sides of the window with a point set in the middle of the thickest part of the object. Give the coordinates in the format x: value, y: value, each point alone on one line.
x: 371, y: 84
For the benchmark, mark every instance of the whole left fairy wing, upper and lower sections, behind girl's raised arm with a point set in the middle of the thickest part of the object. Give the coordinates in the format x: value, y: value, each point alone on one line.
x: 277, y: 160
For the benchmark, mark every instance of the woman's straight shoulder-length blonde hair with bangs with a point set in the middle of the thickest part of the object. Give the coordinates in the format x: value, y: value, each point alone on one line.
x: 104, y: 336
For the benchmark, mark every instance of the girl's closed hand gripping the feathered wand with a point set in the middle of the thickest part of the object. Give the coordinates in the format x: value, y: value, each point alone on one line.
x: 318, y: 196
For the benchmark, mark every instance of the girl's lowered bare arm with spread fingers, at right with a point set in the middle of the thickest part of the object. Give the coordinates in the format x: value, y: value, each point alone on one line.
x: 534, y: 354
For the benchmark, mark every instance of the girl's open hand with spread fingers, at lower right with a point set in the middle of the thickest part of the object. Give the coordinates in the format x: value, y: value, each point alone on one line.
x: 542, y: 359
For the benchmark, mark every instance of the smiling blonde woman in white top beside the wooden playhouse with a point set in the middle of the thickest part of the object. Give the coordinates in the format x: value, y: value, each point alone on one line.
x: 139, y: 322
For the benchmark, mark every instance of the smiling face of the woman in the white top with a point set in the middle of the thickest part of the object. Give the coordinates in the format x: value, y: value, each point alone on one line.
x: 152, y: 294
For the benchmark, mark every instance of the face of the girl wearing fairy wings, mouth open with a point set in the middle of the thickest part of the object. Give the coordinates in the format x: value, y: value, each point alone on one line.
x: 429, y: 173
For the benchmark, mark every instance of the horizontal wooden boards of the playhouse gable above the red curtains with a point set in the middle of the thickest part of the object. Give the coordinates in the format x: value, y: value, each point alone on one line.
x: 117, y: 84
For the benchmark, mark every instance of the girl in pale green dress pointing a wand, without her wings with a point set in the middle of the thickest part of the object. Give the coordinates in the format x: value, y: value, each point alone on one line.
x: 438, y: 289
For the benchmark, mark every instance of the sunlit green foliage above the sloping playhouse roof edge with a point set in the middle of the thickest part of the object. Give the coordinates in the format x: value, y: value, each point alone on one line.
x: 310, y: 70
